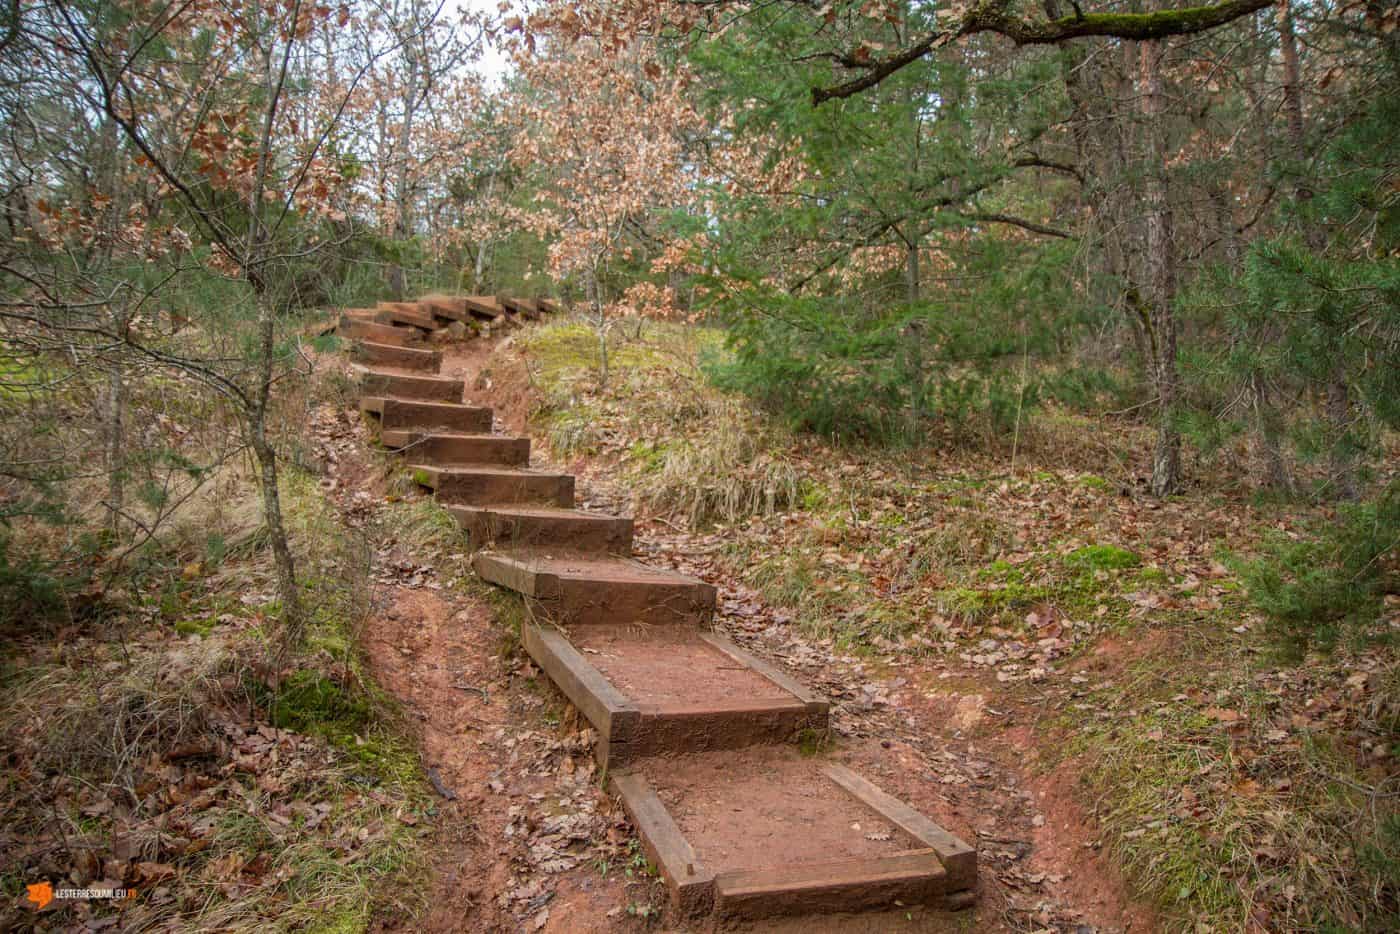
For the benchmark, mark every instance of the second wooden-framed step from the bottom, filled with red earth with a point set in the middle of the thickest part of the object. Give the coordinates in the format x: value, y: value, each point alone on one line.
x: 660, y: 690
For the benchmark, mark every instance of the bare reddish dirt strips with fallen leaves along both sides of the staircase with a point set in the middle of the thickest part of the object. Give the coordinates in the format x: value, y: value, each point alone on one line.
x: 527, y: 841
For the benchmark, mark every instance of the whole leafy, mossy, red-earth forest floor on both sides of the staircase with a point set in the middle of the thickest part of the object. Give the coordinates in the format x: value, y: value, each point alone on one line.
x: 1023, y: 645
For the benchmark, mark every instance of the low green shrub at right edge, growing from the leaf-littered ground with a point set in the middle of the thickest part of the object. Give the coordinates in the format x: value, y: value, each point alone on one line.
x: 1331, y: 586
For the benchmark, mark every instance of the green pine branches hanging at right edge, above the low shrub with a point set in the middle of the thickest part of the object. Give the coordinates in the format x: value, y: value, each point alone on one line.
x: 1312, y: 309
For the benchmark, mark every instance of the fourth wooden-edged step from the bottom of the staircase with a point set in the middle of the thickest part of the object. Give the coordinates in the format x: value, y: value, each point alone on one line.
x: 545, y: 527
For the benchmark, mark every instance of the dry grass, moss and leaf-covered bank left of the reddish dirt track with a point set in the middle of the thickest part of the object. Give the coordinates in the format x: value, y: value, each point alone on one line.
x: 173, y: 746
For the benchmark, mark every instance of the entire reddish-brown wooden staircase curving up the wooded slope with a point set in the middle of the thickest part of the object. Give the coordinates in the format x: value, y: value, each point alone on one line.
x: 698, y: 737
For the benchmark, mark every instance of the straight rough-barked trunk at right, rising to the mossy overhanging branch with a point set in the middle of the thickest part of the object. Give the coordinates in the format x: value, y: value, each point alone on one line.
x: 1167, y: 457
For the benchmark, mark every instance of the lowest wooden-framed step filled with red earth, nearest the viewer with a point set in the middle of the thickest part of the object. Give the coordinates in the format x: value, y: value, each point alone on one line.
x: 758, y: 834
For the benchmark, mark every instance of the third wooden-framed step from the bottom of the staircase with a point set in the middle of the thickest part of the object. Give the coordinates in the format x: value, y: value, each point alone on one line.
x: 577, y: 590
